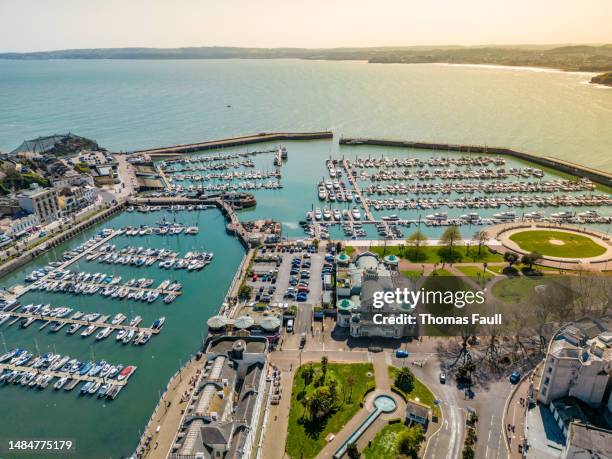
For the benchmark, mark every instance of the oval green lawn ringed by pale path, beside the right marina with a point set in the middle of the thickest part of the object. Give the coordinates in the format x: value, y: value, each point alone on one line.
x: 569, y: 245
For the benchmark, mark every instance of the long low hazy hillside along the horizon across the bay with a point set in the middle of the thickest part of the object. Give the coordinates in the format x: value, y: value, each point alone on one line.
x: 574, y: 58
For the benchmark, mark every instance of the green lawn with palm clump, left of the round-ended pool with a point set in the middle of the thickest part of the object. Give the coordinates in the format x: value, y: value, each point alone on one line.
x: 304, y: 438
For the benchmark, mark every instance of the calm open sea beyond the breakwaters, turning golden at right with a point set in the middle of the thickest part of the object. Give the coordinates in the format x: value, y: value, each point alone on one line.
x: 134, y: 104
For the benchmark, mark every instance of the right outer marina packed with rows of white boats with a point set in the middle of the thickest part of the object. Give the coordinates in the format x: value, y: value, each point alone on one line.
x: 358, y: 194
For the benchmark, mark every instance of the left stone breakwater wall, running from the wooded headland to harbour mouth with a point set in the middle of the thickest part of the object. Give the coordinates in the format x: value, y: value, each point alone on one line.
x: 166, y: 152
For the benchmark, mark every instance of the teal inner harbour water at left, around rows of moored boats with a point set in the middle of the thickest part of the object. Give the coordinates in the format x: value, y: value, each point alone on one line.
x: 87, y: 415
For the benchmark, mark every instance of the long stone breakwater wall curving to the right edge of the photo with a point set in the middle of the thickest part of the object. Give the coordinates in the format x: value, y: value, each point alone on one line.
x: 596, y: 175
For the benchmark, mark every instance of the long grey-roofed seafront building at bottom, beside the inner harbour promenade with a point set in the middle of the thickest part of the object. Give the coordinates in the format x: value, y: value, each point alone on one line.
x: 221, y: 418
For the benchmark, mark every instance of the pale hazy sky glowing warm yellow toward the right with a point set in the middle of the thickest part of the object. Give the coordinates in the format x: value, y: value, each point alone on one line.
x: 27, y: 25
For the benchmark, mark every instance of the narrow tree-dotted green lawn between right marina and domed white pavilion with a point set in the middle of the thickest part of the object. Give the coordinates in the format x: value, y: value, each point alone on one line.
x: 431, y: 254
